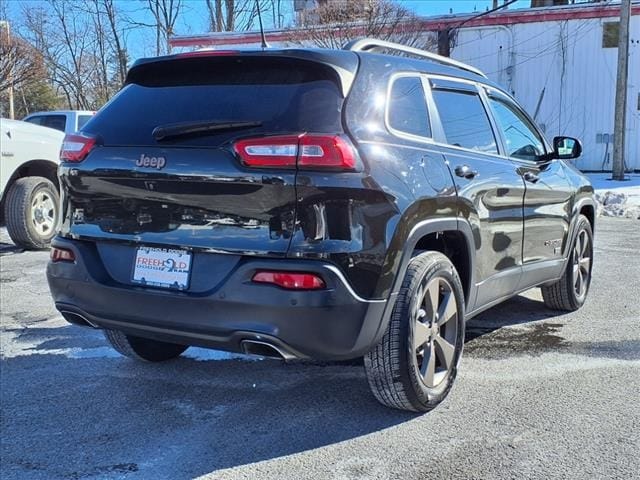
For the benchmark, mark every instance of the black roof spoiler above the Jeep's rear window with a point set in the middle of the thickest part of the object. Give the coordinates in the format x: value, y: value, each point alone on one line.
x: 344, y: 63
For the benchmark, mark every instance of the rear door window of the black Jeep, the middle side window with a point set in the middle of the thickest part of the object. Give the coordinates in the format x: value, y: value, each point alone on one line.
x: 465, y: 121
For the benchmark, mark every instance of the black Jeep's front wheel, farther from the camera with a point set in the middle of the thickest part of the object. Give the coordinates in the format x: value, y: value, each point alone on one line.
x: 570, y: 292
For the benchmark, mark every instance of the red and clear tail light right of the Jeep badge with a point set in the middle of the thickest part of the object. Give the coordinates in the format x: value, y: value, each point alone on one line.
x: 304, y: 151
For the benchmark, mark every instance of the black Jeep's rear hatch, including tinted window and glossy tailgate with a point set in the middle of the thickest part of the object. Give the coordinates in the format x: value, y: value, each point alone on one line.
x: 165, y: 169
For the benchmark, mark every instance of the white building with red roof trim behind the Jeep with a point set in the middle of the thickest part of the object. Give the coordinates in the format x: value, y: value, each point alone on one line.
x: 559, y: 62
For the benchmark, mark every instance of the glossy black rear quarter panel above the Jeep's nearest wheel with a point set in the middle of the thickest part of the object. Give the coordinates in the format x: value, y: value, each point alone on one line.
x: 369, y: 214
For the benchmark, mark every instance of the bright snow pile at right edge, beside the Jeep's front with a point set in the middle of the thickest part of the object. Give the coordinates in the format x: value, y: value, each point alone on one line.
x: 617, y: 199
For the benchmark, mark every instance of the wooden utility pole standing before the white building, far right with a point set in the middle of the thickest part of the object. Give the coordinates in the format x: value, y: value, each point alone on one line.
x: 621, y: 92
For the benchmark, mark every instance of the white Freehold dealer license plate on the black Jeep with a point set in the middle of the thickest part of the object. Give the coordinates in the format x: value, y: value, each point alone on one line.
x: 162, y: 267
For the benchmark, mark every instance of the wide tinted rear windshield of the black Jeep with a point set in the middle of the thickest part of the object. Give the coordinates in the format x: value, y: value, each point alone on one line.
x: 287, y: 96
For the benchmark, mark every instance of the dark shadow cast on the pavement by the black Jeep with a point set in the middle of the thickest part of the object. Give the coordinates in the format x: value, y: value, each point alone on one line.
x: 186, y: 417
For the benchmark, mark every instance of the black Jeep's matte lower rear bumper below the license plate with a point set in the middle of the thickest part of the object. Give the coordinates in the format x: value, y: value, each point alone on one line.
x: 326, y: 324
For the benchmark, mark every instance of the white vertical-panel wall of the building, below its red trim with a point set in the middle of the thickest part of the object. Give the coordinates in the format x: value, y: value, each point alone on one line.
x: 566, y: 59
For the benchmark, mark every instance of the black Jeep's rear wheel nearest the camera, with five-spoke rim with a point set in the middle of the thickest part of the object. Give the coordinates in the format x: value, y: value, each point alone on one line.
x: 415, y: 364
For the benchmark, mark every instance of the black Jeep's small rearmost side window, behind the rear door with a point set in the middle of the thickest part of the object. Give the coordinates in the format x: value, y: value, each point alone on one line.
x: 407, y: 110
